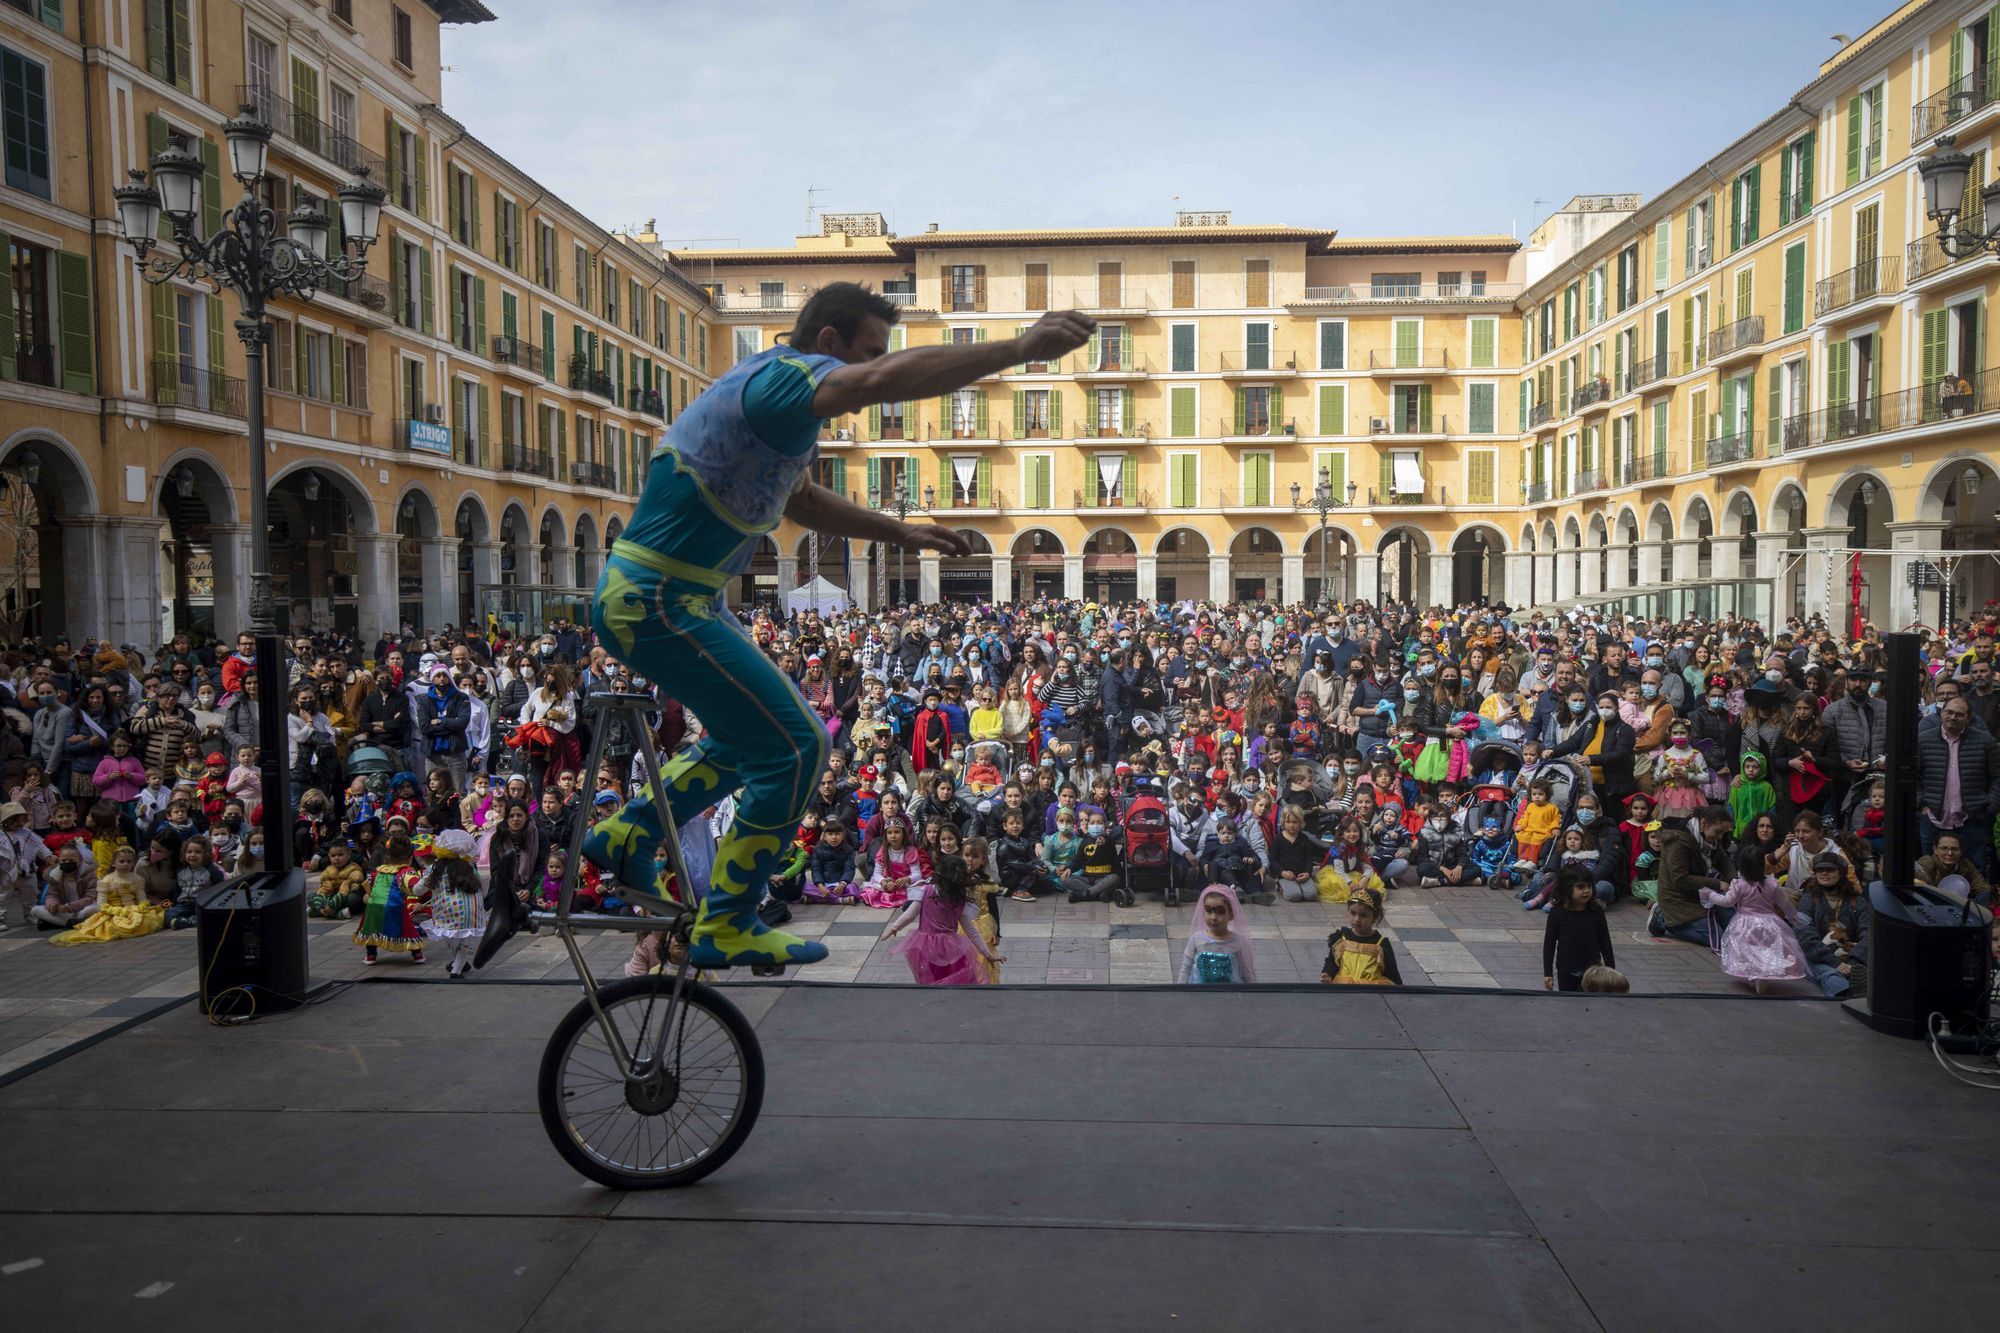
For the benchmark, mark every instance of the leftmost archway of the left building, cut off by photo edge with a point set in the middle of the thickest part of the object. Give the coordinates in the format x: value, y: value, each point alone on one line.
x: 45, y: 567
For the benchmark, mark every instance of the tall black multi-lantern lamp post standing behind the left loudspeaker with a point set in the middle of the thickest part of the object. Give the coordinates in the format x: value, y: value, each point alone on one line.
x: 251, y: 257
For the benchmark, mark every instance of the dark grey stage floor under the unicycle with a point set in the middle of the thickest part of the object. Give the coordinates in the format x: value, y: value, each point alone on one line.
x: 1023, y: 1160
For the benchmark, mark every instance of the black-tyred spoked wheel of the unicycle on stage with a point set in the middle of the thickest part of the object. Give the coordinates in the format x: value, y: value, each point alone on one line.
x: 691, y: 1110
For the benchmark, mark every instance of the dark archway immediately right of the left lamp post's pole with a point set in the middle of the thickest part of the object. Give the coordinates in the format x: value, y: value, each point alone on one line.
x: 317, y: 517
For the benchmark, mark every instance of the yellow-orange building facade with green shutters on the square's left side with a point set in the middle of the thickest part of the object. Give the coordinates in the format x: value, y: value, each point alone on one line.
x: 461, y: 431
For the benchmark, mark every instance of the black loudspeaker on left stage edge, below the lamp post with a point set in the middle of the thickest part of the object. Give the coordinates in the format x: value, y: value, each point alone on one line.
x: 251, y: 944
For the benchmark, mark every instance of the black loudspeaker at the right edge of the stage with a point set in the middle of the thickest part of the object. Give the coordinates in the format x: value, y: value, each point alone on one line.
x: 1925, y: 956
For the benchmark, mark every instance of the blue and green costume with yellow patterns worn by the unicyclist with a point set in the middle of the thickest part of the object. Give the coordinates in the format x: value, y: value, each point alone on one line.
x: 719, y: 483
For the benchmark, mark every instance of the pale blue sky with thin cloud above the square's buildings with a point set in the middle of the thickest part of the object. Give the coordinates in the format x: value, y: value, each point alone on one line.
x: 715, y: 117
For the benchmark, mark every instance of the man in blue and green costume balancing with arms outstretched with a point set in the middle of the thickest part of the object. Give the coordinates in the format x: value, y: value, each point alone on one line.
x: 733, y: 465
